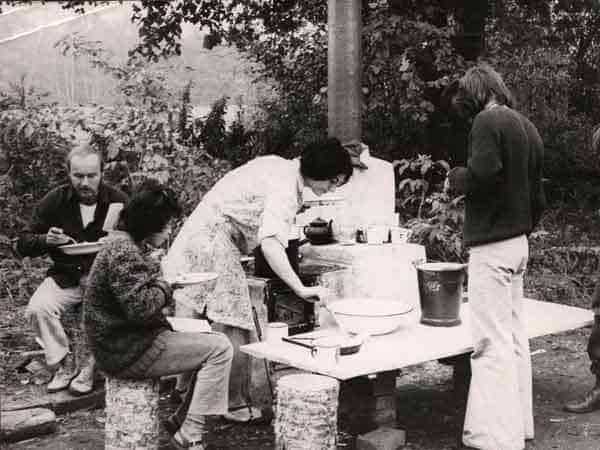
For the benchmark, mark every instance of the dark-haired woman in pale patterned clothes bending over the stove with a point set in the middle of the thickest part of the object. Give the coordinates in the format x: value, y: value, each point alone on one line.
x: 254, y: 204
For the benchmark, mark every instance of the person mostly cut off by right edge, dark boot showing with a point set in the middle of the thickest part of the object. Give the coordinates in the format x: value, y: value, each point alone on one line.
x: 591, y: 402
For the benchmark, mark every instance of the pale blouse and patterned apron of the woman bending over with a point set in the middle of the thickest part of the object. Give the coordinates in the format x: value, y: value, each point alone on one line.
x: 257, y: 200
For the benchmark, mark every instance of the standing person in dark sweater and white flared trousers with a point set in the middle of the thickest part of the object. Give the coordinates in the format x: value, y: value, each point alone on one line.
x: 504, y: 201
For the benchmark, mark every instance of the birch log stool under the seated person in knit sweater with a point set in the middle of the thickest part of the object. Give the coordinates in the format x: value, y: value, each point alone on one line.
x: 132, y: 420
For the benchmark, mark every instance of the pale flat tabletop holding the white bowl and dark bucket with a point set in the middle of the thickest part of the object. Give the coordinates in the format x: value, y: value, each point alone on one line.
x: 416, y: 343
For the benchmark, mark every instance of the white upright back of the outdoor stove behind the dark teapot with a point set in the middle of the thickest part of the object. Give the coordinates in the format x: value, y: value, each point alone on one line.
x: 369, y: 198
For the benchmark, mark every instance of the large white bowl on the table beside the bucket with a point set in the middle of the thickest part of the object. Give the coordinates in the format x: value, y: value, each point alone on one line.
x: 369, y: 316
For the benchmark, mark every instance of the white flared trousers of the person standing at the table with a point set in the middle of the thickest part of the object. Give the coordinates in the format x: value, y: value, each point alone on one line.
x: 499, y: 412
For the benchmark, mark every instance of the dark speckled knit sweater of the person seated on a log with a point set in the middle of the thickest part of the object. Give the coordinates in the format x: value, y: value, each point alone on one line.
x: 122, y: 304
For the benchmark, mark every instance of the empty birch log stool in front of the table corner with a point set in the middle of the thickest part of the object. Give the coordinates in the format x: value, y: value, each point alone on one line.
x: 306, y: 412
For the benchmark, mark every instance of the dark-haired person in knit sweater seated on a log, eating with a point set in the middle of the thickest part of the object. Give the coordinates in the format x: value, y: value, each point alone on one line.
x: 128, y: 333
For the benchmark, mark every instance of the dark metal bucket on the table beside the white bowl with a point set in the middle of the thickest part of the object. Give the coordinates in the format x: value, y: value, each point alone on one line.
x: 440, y: 292
